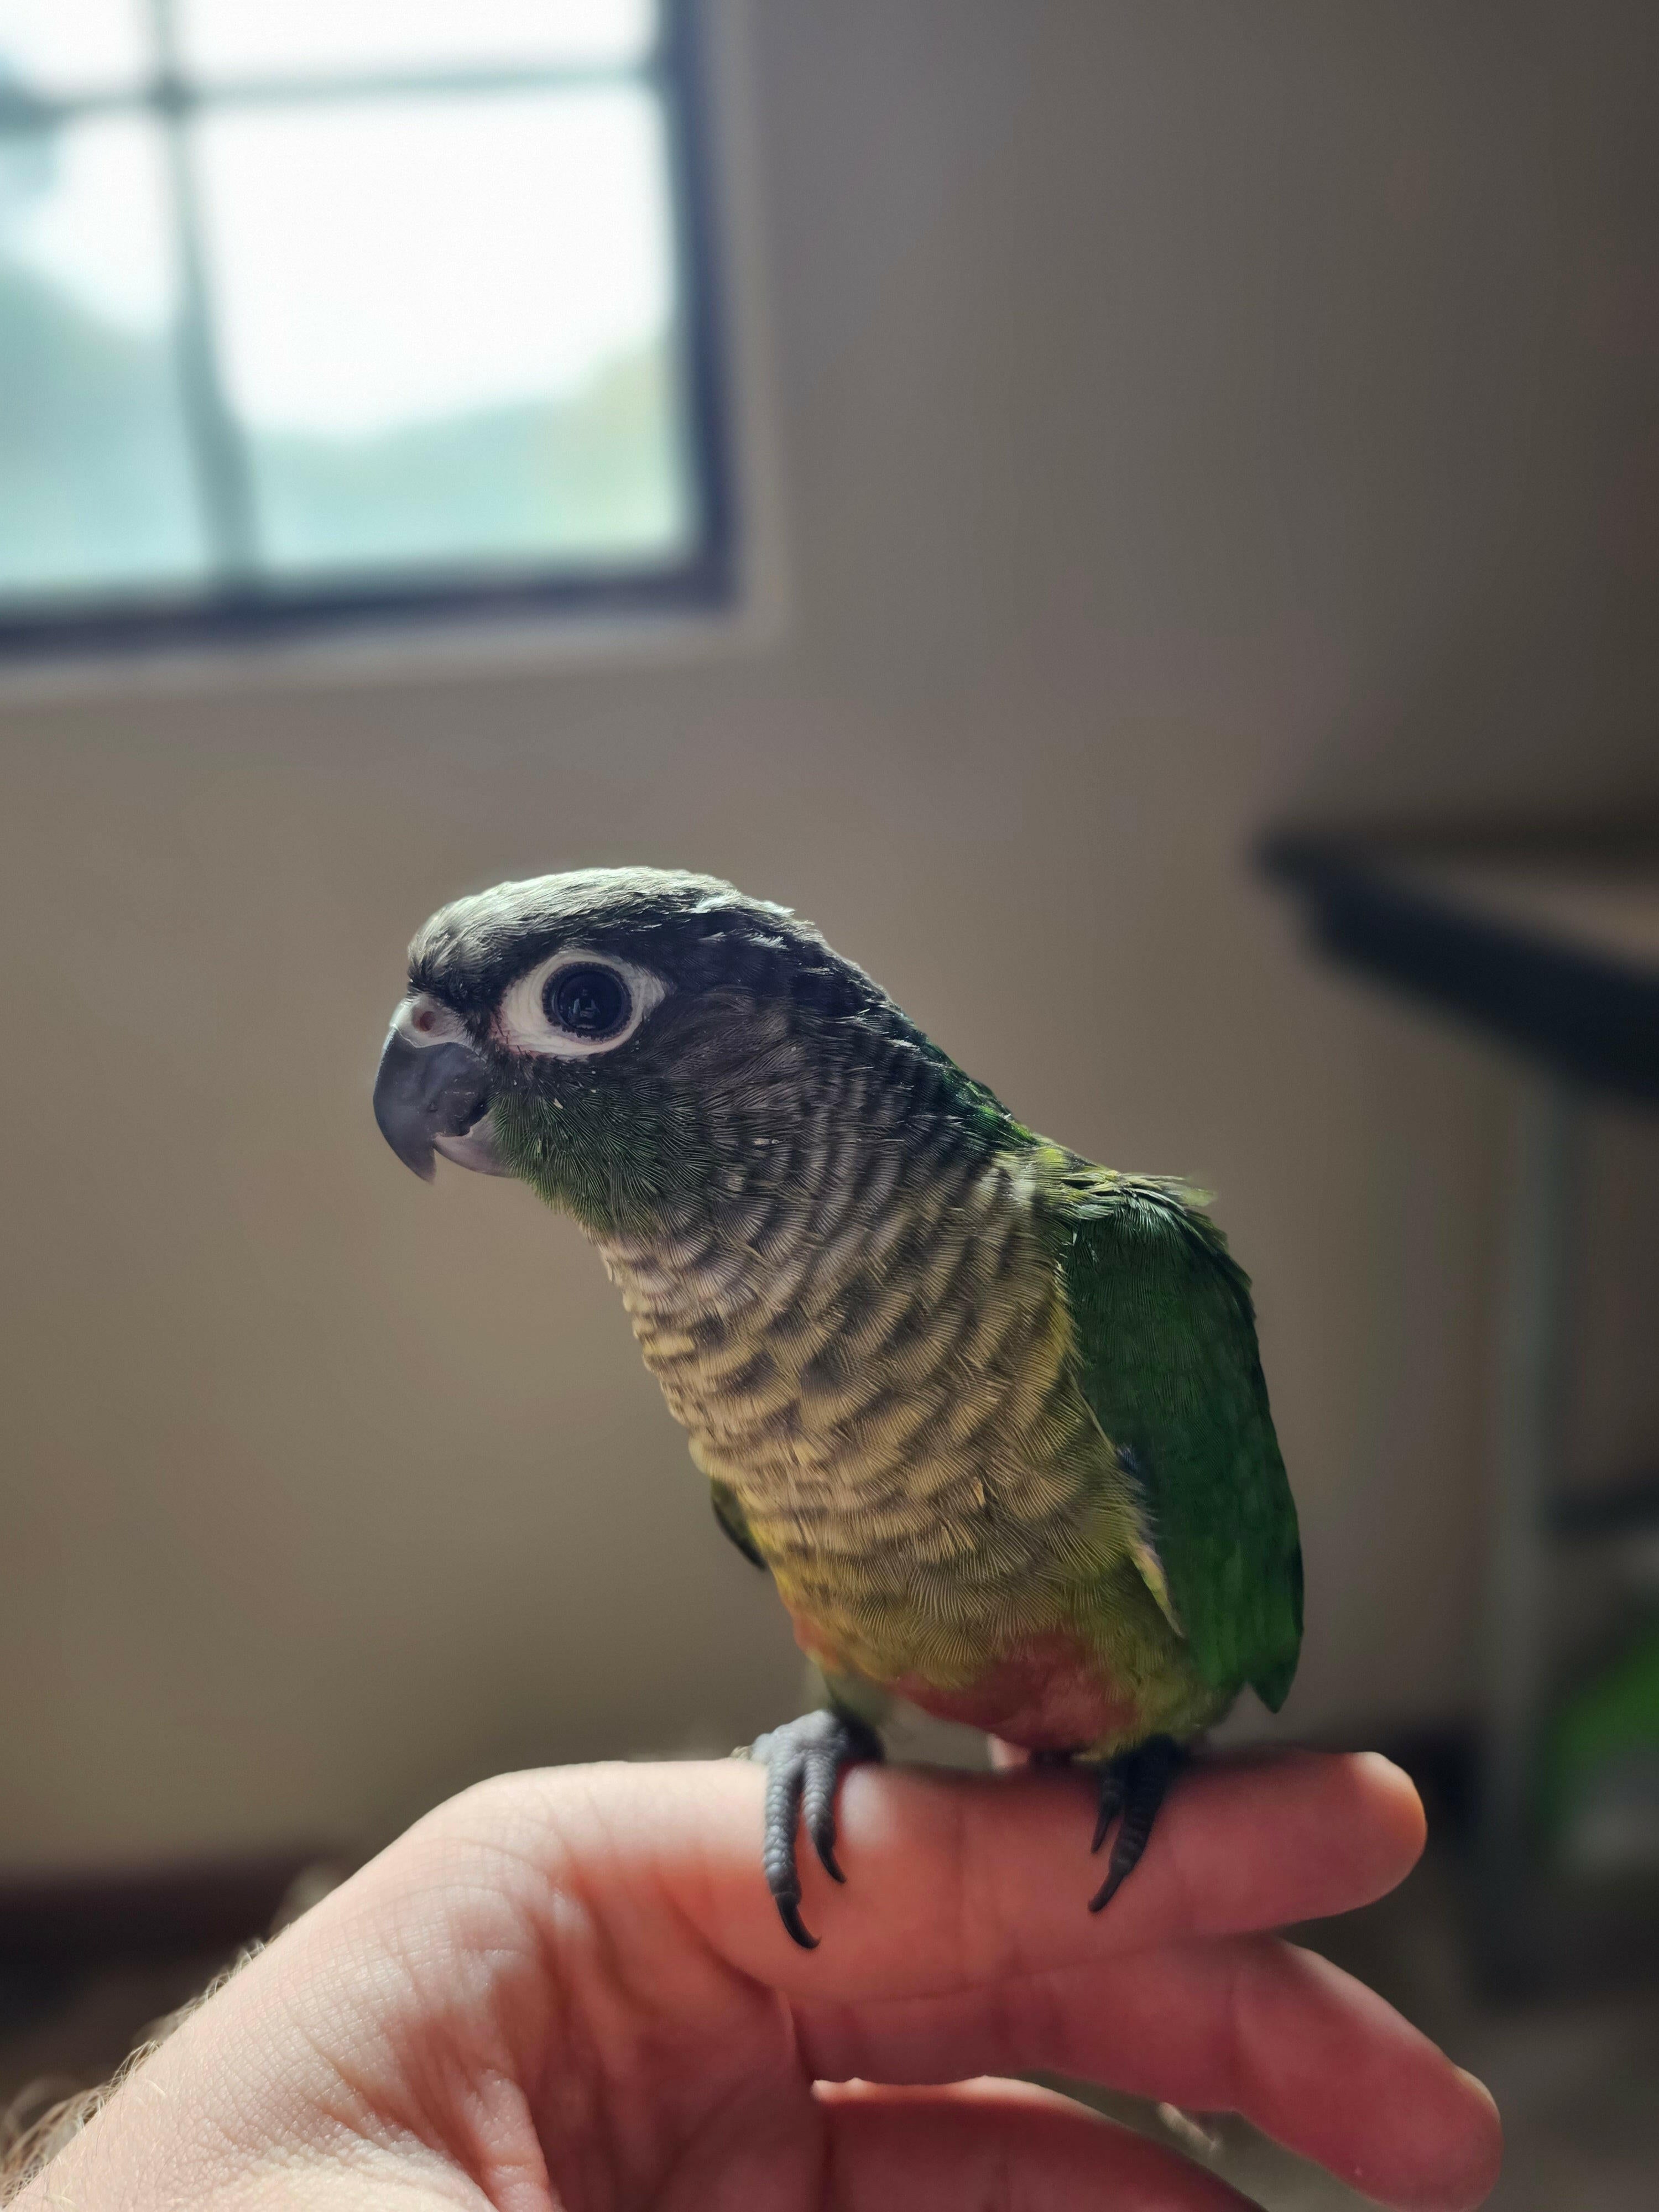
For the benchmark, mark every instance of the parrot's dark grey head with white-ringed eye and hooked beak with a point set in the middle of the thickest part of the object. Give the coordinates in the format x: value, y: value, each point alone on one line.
x: 625, y: 1039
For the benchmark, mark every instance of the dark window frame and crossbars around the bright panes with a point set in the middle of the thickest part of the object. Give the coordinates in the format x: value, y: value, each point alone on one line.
x: 227, y: 612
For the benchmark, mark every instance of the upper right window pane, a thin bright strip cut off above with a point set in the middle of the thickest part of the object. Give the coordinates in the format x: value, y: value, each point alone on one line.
x: 240, y: 39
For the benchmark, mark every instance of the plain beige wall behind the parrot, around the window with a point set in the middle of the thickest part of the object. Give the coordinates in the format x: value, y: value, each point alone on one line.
x: 1185, y: 413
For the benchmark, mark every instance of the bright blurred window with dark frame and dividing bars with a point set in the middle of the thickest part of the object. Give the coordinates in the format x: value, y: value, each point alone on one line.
x: 313, y: 309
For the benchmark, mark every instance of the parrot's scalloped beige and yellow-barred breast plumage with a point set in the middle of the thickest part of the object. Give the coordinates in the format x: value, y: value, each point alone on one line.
x: 866, y: 1337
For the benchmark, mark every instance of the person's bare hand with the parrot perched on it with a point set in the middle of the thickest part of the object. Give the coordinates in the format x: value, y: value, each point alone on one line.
x: 572, y: 1992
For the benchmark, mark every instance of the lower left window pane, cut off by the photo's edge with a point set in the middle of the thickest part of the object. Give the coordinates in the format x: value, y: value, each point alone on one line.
x: 96, y: 481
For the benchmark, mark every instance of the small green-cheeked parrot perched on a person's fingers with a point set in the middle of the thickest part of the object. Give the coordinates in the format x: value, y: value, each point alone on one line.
x: 990, y: 1417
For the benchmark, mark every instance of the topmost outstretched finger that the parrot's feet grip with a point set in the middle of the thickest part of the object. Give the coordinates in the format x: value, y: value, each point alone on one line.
x: 957, y: 1881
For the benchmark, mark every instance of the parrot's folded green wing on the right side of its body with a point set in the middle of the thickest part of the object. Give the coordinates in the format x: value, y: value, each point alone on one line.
x: 1167, y: 1344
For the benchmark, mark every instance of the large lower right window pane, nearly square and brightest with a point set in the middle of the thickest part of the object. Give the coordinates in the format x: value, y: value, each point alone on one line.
x: 448, y: 326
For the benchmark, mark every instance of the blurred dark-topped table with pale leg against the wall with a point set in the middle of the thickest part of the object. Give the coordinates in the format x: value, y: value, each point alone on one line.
x: 1547, y: 941
